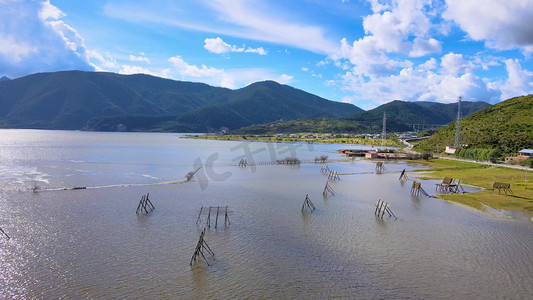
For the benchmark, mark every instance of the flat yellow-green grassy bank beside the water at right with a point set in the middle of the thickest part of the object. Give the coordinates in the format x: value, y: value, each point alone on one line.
x: 484, y: 176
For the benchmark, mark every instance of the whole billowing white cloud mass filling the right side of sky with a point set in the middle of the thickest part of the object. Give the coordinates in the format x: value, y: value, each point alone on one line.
x: 376, y: 71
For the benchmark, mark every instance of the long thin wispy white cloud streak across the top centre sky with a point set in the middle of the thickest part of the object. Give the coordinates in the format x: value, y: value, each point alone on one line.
x: 238, y: 18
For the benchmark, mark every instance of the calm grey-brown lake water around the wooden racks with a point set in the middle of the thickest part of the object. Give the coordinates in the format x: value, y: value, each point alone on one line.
x: 91, y: 244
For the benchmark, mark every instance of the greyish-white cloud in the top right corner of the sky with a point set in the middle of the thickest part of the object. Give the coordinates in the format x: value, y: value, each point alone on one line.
x: 501, y: 24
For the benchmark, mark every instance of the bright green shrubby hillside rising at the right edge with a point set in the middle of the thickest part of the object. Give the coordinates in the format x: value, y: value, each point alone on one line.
x: 507, y: 126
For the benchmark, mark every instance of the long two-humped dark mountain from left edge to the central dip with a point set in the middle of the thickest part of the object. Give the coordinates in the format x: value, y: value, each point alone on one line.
x: 107, y: 101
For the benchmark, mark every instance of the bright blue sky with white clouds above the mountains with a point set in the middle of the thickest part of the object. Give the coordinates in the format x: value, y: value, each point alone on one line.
x: 364, y: 52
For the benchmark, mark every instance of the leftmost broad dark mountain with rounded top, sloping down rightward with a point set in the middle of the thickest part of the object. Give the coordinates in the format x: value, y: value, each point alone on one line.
x: 66, y: 100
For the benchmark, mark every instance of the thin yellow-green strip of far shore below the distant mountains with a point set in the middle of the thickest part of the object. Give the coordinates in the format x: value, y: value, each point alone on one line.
x: 393, y: 143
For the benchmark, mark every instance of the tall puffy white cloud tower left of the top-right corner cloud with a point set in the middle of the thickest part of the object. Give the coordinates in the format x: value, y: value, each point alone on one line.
x: 398, y: 26
